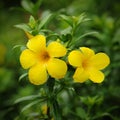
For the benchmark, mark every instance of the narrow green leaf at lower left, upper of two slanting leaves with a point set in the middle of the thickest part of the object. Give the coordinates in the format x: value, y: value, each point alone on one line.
x: 31, y: 97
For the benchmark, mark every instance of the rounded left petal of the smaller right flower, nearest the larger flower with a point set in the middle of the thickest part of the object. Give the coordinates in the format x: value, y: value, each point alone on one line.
x: 75, y: 58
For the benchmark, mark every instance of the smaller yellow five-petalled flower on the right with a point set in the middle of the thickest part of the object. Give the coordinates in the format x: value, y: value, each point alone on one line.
x: 88, y: 65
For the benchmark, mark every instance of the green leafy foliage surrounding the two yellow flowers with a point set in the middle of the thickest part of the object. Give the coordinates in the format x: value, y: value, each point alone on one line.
x: 68, y: 100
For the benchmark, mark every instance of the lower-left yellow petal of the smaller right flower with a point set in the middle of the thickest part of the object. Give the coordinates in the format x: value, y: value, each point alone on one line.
x: 80, y: 75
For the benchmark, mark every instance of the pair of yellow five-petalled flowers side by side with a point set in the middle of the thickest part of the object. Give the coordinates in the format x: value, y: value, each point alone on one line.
x: 42, y: 60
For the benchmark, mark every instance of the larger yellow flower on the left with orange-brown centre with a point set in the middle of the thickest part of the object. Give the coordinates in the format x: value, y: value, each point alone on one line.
x: 41, y: 59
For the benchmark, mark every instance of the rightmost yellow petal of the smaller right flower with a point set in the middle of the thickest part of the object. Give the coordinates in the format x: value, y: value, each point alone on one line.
x: 100, y: 61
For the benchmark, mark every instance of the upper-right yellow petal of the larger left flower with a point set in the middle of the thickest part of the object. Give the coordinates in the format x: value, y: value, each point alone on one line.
x: 56, y: 49
